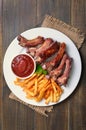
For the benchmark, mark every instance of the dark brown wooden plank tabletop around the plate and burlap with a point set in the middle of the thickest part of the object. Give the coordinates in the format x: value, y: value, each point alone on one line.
x: 17, y: 16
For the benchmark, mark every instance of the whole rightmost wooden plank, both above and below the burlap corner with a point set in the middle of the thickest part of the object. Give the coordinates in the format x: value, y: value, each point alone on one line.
x: 78, y: 103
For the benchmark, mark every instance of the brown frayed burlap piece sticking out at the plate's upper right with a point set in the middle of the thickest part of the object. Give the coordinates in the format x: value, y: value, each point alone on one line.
x: 73, y: 33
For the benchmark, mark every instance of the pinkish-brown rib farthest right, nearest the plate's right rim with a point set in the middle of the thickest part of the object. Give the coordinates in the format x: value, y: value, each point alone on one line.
x: 62, y: 80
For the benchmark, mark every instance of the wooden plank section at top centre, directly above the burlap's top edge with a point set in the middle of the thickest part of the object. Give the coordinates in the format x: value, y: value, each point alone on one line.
x: 57, y: 8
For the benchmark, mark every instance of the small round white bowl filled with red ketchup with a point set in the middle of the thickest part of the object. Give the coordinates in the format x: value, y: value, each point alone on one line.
x: 23, y: 65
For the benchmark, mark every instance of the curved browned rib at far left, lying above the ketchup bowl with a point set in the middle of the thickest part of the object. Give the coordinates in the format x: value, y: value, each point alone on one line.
x: 30, y: 43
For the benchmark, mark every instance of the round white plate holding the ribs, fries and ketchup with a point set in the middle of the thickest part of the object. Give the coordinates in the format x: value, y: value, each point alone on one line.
x: 15, y: 49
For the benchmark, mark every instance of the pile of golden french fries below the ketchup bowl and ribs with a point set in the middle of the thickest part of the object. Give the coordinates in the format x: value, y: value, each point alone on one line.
x: 38, y: 87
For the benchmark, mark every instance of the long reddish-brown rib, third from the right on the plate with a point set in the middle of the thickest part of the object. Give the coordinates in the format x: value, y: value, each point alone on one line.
x: 53, y: 62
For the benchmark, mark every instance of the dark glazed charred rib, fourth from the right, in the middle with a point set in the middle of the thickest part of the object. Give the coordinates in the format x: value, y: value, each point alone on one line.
x: 48, y: 52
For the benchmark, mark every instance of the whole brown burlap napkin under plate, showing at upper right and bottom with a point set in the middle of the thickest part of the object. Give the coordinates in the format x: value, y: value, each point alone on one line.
x: 74, y: 34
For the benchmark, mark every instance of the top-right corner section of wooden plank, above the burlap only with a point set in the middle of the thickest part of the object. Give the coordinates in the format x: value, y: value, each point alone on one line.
x: 78, y: 14
